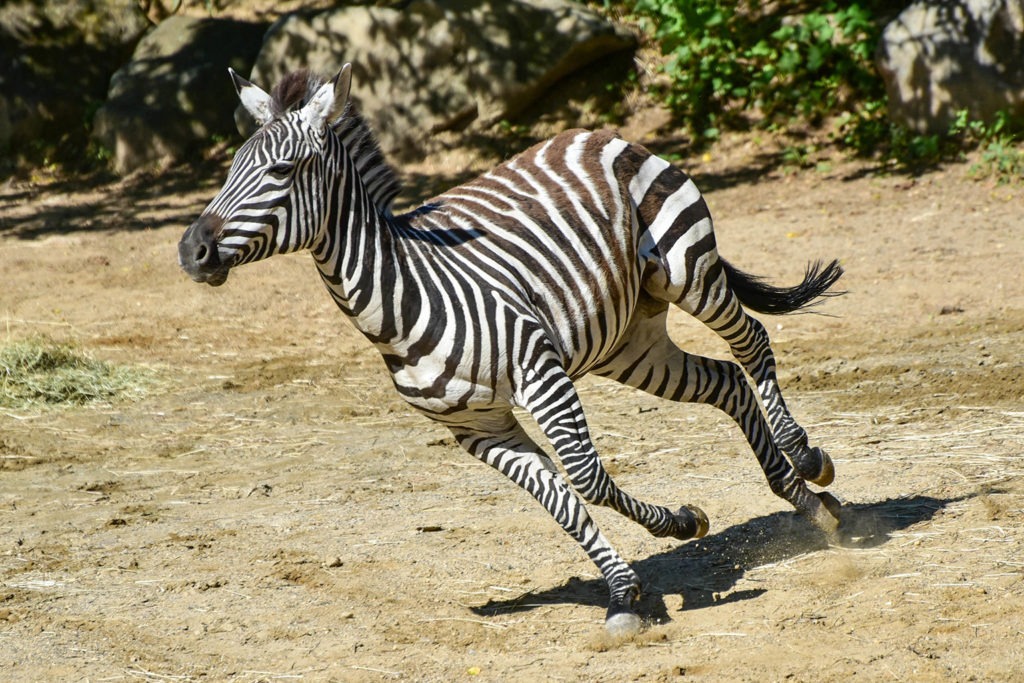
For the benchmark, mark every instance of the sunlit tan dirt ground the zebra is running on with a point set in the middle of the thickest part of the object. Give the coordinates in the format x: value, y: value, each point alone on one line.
x: 271, y: 510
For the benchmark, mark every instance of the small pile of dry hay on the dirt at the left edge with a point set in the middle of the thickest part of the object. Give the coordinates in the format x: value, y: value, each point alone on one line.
x: 40, y: 371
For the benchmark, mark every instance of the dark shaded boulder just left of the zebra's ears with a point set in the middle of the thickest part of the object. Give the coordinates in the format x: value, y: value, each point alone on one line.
x: 175, y: 97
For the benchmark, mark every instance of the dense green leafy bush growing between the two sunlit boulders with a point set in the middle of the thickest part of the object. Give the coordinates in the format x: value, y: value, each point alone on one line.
x: 730, y: 58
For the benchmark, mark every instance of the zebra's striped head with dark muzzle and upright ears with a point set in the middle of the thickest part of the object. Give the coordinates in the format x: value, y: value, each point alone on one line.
x: 274, y: 201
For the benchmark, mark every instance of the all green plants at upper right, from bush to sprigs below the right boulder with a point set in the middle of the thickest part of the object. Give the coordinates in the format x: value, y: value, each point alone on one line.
x: 736, y: 65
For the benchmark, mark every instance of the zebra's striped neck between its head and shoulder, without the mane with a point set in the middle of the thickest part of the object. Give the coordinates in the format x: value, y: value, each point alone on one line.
x: 358, y: 257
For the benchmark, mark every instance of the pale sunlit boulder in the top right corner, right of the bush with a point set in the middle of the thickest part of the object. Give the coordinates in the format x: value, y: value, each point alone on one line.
x: 941, y: 57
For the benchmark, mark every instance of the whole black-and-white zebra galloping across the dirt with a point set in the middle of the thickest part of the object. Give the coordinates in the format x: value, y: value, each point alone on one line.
x: 500, y: 292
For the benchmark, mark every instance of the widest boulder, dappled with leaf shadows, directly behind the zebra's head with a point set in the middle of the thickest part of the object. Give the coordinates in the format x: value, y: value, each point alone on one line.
x: 432, y: 66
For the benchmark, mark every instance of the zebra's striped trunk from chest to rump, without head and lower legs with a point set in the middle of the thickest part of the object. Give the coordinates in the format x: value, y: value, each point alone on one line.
x: 553, y: 240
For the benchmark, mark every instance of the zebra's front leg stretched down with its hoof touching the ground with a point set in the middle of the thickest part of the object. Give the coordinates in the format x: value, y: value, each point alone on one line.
x: 514, y: 454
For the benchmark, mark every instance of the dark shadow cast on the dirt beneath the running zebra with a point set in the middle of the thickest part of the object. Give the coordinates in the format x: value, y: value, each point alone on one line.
x: 706, y: 571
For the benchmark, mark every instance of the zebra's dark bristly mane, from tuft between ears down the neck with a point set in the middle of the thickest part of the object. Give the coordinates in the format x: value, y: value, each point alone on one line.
x: 382, y: 184
